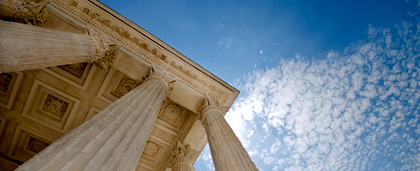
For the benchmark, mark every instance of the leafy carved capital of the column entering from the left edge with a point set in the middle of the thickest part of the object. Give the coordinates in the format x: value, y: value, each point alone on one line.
x: 105, y: 50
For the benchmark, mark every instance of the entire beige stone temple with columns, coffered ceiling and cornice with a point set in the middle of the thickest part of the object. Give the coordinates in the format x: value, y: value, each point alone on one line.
x: 83, y: 88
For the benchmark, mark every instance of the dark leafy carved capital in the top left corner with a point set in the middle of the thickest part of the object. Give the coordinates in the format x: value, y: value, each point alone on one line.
x: 24, y: 11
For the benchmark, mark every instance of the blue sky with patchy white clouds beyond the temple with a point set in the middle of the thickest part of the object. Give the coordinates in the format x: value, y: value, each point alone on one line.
x: 325, y: 85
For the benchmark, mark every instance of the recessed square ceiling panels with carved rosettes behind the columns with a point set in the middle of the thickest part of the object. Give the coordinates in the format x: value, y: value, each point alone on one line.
x: 39, y: 106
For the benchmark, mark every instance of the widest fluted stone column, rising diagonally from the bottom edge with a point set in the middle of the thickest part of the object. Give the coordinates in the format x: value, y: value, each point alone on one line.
x: 112, y: 140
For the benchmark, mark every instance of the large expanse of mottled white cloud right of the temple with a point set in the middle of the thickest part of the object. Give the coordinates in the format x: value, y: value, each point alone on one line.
x: 353, y: 111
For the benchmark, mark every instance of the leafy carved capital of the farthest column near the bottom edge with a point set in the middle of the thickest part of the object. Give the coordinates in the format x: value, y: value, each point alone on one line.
x: 183, y: 154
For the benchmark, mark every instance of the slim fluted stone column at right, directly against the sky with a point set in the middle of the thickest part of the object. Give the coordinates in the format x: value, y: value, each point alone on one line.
x: 226, y: 149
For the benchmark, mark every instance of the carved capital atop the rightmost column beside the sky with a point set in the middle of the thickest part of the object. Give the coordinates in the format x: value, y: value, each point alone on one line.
x: 208, y: 105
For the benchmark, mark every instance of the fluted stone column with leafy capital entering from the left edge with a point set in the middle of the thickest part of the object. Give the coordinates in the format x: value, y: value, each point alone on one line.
x: 24, y: 47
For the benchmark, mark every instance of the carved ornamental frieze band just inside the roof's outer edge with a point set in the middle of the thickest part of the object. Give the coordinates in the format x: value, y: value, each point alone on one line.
x: 136, y: 45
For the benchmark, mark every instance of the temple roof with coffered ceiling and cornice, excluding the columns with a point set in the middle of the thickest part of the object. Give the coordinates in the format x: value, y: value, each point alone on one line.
x: 39, y: 106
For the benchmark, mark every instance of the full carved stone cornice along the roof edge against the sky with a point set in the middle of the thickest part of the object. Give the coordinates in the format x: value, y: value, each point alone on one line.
x: 152, y: 50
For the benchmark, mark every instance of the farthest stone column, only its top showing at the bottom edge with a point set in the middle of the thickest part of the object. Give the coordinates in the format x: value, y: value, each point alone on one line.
x: 183, y: 157
